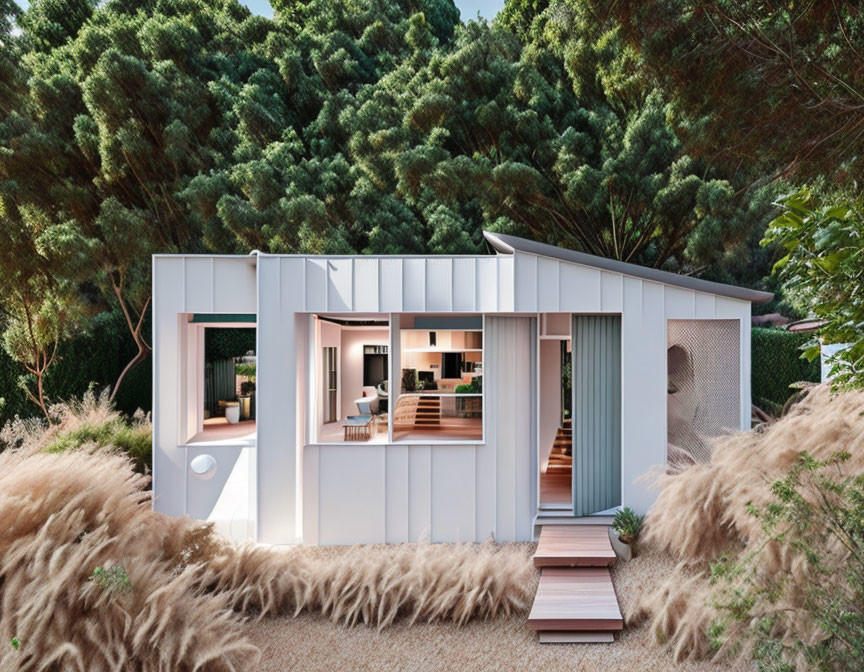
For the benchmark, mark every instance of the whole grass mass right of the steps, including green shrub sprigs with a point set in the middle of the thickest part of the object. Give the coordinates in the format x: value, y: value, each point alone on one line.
x: 769, y: 540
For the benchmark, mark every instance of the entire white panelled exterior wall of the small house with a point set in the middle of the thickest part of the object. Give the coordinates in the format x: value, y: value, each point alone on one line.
x: 355, y: 493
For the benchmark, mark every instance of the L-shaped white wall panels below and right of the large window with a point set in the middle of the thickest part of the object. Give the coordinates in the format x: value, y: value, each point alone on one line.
x: 447, y: 492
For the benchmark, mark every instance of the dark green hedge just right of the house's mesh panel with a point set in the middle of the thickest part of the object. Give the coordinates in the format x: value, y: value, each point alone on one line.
x: 776, y: 364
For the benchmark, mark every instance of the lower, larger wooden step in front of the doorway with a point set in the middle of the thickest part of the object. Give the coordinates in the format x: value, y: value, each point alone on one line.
x: 575, y: 600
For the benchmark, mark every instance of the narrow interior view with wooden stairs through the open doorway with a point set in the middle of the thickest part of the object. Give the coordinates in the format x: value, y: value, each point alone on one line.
x: 555, y: 442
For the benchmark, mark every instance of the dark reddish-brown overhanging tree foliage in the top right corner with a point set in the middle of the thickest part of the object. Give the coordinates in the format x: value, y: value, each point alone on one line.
x: 778, y: 85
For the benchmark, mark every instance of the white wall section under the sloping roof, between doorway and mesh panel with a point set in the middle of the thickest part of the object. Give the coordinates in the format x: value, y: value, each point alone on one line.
x: 550, y: 285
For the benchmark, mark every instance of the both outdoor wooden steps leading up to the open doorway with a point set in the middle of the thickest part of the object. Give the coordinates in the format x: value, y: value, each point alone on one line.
x: 575, y: 600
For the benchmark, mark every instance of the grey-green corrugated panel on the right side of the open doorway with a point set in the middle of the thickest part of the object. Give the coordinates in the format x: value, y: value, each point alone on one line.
x: 596, y: 371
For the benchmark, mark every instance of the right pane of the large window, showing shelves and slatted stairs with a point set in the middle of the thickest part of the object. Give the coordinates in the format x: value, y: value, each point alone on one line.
x: 440, y: 394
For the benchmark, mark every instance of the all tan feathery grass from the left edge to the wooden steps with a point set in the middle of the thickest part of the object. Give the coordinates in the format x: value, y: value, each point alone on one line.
x: 92, y: 579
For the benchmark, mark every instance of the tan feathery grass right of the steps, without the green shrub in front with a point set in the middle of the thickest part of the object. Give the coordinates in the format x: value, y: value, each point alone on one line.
x: 702, y: 515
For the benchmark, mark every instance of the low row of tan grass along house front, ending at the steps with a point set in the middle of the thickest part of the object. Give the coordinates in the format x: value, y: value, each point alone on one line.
x: 376, y: 585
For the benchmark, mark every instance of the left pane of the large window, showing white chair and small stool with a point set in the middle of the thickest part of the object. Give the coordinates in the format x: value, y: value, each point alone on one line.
x: 352, y: 356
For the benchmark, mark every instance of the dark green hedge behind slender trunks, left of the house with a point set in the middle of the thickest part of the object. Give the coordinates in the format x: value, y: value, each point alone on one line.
x: 97, y: 356
